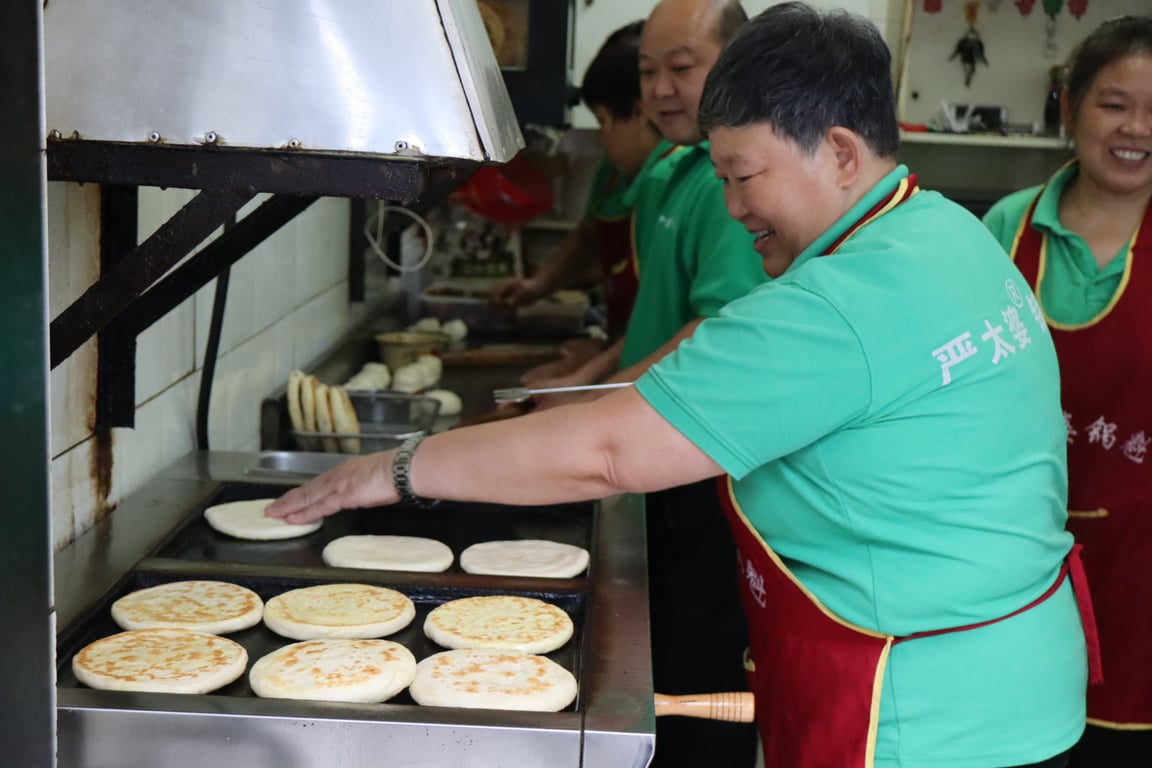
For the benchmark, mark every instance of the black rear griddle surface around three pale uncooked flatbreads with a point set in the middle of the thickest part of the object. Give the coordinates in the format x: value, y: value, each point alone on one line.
x: 457, y: 526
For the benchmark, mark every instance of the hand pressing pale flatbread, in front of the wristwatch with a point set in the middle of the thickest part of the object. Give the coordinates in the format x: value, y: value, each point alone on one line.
x: 361, y: 482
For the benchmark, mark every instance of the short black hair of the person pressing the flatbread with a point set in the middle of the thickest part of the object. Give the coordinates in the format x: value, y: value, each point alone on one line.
x: 805, y: 72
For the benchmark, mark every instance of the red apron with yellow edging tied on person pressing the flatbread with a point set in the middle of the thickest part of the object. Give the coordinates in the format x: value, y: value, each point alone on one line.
x: 816, y: 678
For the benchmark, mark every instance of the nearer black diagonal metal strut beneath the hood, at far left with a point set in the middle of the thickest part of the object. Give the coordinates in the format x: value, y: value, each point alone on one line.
x: 148, y: 263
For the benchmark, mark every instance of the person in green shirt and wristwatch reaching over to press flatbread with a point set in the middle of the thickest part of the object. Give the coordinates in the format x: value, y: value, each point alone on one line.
x: 885, y: 420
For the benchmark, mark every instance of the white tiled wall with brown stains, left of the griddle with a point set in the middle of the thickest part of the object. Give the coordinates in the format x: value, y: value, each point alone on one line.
x: 287, y: 305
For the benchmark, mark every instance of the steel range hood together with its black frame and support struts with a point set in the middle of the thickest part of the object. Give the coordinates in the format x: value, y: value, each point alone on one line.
x: 388, y: 100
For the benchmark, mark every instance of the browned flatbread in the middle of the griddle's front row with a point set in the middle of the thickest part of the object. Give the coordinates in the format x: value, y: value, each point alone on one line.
x: 357, y: 671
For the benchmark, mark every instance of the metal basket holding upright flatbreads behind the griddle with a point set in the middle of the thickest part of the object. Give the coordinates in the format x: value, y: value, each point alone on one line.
x: 386, y: 420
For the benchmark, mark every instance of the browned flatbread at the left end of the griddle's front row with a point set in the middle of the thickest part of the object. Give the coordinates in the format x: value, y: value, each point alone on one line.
x: 162, y: 661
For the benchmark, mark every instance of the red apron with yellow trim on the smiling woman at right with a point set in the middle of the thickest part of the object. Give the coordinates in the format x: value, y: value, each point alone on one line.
x: 1106, y: 381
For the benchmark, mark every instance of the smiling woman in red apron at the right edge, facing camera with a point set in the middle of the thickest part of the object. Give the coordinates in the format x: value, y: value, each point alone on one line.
x: 1086, y: 240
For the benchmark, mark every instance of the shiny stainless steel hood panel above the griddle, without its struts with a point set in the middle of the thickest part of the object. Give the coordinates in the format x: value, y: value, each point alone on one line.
x: 388, y: 79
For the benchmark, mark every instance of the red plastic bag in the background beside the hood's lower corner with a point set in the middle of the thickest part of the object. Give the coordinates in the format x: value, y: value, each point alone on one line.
x: 510, y: 194
